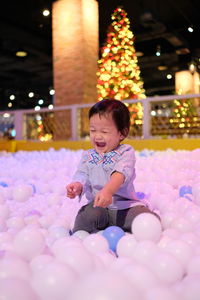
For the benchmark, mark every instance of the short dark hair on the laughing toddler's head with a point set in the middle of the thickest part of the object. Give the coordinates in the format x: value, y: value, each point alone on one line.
x: 119, y: 111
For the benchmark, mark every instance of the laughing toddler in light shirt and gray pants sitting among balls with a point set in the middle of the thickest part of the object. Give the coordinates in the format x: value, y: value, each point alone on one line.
x: 106, y: 173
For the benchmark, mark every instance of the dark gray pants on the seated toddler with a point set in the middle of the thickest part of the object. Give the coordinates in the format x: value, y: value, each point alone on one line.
x: 93, y: 219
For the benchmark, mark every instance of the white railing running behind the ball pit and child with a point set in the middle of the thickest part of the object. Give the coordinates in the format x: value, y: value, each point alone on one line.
x: 18, y: 119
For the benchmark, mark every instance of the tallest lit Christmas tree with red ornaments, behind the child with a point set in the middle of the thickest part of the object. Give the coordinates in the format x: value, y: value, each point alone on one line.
x: 118, y: 70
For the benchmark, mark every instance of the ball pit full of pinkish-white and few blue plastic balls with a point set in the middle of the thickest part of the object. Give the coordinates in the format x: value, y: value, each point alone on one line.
x: 41, y: 259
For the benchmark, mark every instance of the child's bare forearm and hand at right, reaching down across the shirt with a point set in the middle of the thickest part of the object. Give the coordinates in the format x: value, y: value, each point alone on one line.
x: 104, y: 197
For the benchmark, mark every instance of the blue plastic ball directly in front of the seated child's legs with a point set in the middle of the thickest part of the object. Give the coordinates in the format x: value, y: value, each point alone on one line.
x: 113, y: 234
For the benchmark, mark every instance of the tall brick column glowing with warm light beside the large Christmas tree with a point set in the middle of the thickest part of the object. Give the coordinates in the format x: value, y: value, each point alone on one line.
x: 75, y: 51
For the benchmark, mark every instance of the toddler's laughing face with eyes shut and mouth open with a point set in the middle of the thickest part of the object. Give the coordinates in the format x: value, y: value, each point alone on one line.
x: 104, y: 134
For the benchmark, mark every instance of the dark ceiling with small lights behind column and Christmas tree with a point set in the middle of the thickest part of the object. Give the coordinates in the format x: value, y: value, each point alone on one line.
x: 155, y: 24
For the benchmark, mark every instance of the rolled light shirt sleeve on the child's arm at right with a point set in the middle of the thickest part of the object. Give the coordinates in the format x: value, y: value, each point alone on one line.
x: 126, y: 163
